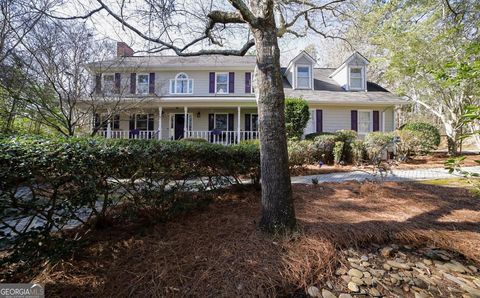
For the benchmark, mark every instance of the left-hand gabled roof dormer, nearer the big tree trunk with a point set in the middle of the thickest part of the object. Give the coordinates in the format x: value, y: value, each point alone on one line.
x: 299, y: 72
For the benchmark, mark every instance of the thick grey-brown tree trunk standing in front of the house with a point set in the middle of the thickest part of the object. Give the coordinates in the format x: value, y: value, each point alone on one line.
x: 278, y: 215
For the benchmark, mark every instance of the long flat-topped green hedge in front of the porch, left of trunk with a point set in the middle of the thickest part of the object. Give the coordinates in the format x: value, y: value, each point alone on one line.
x: 51, y: 183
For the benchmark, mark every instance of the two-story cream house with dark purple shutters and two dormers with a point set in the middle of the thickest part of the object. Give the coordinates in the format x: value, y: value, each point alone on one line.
x: 212, y: 97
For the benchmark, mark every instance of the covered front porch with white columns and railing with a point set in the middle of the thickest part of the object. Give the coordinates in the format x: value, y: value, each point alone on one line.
x: 221, y: 125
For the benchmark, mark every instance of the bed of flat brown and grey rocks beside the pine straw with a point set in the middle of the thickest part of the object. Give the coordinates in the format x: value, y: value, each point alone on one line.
x: 401, y: 271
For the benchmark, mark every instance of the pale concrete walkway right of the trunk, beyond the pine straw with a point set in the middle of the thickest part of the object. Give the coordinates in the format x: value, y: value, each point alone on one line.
x: 394, y: 175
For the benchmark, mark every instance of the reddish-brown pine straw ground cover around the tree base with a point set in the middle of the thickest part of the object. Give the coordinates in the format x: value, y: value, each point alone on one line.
x: 218, y: 251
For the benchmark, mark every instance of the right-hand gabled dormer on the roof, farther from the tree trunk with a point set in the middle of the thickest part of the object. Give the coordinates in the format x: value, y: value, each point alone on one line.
x: 352, y: 74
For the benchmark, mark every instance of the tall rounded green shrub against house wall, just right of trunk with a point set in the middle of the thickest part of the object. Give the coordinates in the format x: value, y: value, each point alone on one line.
x: 296, y: 116
